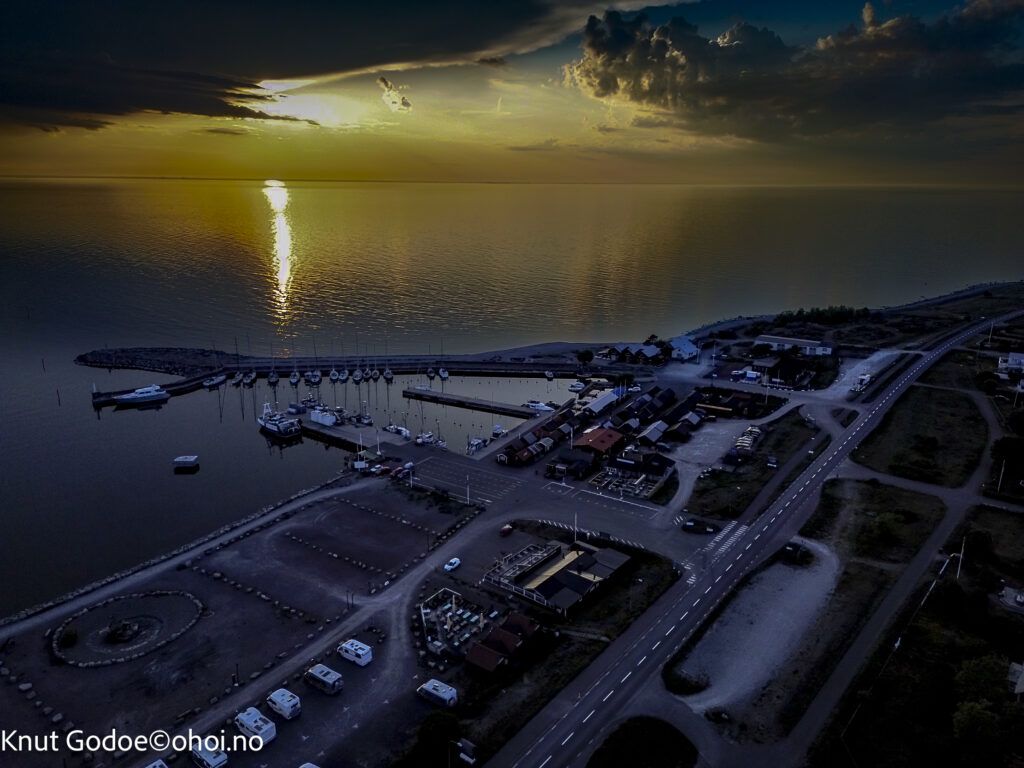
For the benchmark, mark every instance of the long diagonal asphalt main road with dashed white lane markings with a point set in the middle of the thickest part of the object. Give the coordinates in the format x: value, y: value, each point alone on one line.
x: 570, y: 729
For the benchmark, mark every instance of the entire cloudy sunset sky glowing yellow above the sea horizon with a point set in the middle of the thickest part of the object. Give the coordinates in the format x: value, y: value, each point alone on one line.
x: 708, y: 93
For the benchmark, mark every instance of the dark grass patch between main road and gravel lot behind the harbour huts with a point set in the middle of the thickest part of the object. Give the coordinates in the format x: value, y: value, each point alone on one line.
x: 727, y: 495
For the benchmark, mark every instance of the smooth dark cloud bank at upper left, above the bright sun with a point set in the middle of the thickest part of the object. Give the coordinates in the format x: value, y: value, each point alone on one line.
x: 80, y: 64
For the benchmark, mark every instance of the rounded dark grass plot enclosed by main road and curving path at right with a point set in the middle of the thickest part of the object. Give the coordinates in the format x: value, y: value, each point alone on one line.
x: 932, y: 436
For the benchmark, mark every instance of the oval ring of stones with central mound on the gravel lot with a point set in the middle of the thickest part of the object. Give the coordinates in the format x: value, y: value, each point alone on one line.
x: 125, y: 628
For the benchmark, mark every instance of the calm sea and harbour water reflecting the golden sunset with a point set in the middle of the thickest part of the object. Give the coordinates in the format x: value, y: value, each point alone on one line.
x: 373, y: 270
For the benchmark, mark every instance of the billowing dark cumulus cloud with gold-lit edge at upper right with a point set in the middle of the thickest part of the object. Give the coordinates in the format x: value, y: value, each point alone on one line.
x: 902, y: 73
